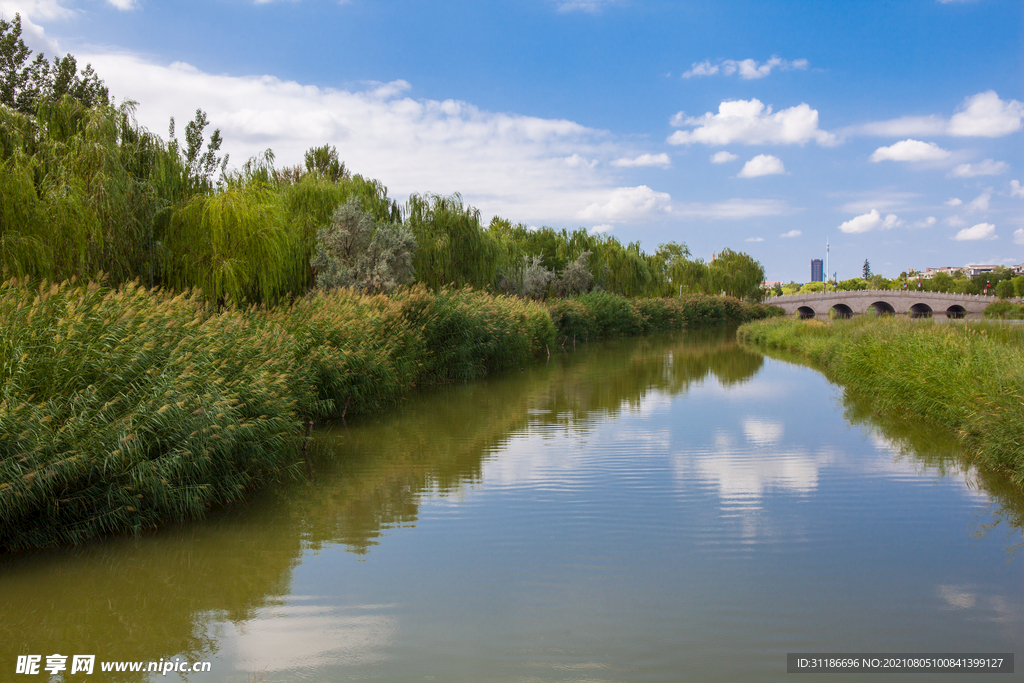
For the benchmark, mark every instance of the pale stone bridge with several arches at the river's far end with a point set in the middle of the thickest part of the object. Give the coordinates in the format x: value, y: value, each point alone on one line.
x: 893, y: 303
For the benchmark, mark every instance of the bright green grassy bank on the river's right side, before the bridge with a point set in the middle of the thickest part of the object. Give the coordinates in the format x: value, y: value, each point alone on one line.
x: 969, y: 377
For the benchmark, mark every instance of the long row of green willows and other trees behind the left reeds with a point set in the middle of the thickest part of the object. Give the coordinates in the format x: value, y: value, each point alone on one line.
x: 89, y: 191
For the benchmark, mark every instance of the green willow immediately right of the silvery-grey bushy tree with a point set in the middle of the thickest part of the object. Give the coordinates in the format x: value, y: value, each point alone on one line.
x: 452, y: 246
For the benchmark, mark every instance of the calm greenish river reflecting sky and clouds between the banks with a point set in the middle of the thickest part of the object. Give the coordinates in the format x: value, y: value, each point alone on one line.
x: 663, y: 509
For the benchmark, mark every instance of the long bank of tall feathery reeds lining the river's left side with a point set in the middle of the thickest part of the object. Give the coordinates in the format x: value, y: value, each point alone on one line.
x: 123, y: 409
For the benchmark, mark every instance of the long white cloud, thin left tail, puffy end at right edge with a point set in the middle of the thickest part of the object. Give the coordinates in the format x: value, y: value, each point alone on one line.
x: 984, y: 115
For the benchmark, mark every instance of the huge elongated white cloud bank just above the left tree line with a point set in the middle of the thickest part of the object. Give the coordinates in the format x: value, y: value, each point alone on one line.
x: 528, y: 168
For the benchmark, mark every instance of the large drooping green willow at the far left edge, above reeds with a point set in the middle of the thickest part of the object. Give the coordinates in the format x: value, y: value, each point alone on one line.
x: 72, y: 205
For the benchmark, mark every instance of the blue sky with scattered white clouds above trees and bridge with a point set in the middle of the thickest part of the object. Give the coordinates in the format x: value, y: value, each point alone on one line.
x: 891, y: 130
